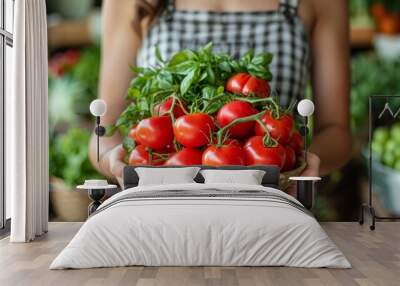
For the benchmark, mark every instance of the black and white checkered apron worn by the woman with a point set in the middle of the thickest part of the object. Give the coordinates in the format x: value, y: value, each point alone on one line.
x: 280, y: 32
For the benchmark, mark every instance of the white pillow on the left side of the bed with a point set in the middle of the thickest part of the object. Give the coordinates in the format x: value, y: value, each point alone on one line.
x: 166, y: 176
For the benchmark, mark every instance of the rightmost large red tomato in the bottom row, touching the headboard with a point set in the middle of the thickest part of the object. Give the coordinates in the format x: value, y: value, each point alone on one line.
x: 259, y: 154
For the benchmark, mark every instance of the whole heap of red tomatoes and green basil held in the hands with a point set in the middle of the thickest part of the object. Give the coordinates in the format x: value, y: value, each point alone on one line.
x: 202, y: 108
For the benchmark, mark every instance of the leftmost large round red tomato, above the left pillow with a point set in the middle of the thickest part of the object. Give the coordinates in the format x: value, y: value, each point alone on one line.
x: 155, y: 132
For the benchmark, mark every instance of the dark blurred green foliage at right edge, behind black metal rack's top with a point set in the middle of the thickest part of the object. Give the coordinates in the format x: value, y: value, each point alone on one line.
x: 371, y: 76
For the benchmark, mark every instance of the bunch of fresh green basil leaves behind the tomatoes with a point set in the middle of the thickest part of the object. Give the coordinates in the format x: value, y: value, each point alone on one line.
x: 196, y: 78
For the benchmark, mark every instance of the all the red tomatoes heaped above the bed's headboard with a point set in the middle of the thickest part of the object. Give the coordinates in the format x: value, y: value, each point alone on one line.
x: 238, y: 134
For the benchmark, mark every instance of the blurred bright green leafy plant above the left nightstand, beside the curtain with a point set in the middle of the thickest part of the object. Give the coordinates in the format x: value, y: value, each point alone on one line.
x: 69, y: 157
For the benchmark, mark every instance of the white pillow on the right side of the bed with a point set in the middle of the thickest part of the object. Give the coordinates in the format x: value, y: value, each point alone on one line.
x: 247, y: 177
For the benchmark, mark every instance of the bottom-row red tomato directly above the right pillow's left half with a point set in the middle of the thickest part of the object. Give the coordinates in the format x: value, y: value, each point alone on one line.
x: 224, y: 155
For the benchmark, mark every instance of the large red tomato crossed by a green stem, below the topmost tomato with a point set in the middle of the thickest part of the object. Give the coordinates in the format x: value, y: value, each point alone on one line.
x: 234, y: 110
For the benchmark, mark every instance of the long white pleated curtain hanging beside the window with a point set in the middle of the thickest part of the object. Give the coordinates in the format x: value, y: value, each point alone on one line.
x: 27, y: 124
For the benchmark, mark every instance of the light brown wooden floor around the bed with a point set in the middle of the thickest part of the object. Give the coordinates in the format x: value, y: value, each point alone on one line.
x: 375, y: 257
